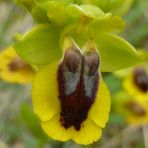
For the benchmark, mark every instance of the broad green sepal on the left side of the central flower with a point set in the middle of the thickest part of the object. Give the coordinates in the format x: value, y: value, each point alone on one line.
x: 39, y: 46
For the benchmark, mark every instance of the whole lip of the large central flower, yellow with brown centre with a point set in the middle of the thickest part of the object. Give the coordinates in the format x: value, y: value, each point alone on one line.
x: 70, y: 97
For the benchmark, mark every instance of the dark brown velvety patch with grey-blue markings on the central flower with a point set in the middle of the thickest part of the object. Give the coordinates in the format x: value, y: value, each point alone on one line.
x: 78, y: 79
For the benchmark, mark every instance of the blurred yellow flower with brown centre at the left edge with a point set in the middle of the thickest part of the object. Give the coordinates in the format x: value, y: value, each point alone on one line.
x: 13, y: 69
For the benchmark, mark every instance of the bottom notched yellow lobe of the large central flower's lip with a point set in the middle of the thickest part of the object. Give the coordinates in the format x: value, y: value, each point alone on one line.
x: 88, y: 134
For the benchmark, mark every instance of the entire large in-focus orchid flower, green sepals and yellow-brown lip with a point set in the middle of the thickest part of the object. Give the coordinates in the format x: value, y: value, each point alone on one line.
x: 69, y: 95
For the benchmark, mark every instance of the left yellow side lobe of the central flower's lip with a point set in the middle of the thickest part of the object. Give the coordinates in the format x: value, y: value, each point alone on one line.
x: 45, y: 92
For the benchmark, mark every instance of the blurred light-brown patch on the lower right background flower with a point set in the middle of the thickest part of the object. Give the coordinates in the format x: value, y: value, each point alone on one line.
x: 135, y: 108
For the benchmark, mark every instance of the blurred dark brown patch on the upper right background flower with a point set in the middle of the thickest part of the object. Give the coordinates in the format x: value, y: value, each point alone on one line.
x: 141, y: 79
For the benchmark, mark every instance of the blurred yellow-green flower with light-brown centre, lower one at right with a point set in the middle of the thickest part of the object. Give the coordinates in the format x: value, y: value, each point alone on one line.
x: 134, y: 110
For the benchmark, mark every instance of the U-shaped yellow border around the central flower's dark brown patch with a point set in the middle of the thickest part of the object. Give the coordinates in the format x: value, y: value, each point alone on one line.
x: 47, y: 106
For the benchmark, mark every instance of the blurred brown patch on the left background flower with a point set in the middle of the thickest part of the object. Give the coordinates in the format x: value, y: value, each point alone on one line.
x: 17, y: 64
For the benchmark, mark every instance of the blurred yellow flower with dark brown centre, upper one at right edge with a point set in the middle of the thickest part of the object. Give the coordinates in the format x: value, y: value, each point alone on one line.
x: 136, y: 84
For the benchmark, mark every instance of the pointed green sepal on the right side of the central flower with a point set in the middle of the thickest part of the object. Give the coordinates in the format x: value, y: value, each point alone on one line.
x: 116, y: 53
